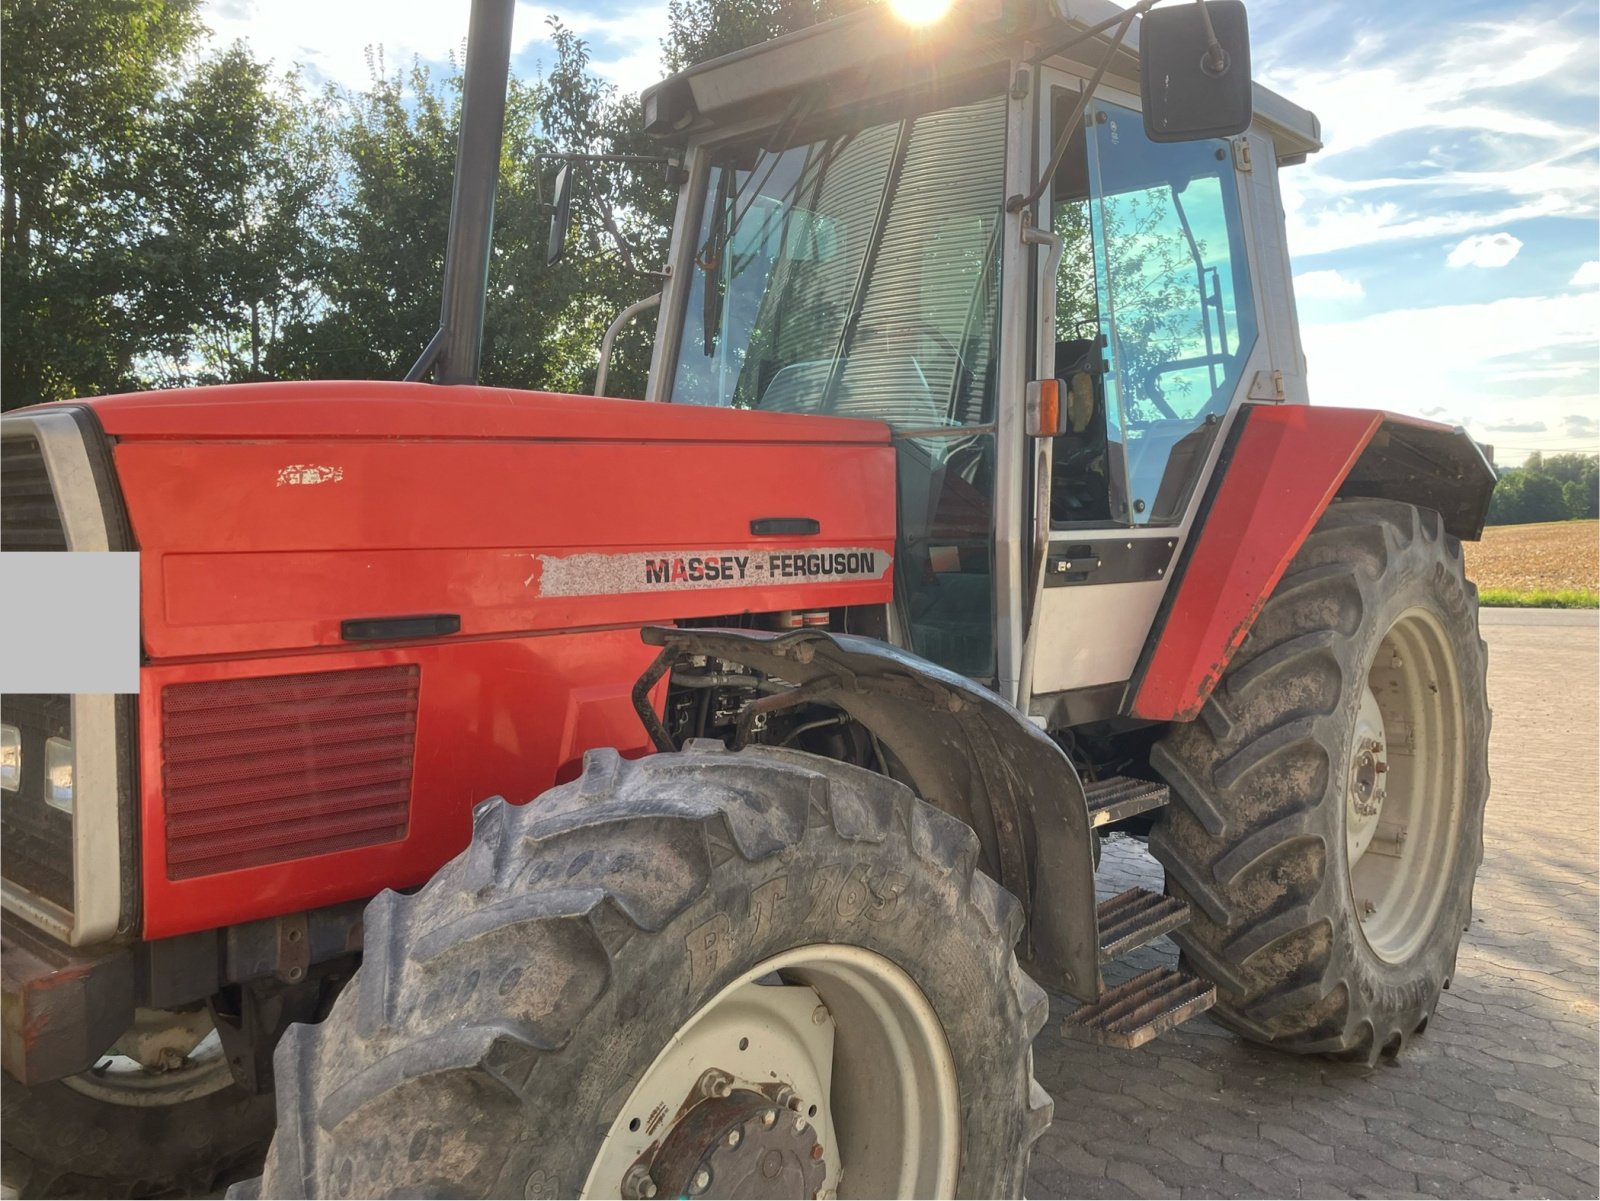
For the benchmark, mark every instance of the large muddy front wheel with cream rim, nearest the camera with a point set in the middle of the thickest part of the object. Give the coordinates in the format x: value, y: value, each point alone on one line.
x: 697, y: 975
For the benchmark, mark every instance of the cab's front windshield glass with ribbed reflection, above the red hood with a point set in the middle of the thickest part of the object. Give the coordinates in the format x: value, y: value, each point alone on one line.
x: 854, y: 274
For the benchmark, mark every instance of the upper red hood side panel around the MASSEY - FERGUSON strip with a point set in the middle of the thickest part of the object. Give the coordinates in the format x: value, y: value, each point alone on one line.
x: 236, y: 562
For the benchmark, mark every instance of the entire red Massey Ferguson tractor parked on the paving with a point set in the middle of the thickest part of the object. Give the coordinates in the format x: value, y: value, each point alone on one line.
x: 975, y: 511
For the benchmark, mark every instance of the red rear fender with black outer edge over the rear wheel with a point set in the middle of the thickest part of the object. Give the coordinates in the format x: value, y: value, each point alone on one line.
x: 1284, y: 468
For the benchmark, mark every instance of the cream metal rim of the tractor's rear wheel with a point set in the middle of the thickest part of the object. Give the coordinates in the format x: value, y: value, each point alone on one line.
x: 1404, y: 788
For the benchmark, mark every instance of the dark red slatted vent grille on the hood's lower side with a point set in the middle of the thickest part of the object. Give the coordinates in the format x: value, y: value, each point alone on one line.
x: 268, y: 770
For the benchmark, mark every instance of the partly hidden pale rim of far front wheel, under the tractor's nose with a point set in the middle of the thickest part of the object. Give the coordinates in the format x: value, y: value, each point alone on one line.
x: 164, y: 1059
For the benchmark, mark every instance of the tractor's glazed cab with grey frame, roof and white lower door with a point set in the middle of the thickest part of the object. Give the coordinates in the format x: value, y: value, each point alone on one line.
x: 921, y: 225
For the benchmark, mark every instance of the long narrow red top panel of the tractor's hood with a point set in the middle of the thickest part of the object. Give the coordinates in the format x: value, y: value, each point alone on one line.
x: 398, y: 410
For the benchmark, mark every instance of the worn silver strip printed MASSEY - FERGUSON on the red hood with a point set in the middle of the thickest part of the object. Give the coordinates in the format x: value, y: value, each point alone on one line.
x: 650, y: 572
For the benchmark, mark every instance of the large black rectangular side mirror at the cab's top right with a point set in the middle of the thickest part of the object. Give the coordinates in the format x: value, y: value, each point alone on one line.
x: 1188, y: 95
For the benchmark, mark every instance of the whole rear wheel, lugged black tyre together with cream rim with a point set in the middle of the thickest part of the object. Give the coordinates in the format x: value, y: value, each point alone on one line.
x: 1327, y: 815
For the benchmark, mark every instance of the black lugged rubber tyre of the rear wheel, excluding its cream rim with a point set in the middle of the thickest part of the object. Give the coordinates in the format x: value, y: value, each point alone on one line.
x: 1255, y: 837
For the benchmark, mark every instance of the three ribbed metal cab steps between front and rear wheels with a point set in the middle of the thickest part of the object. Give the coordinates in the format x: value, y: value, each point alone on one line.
x: 1154, y: 1002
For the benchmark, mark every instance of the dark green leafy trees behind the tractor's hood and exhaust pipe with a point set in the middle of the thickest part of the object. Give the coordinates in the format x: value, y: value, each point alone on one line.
x: 175, y: 217
